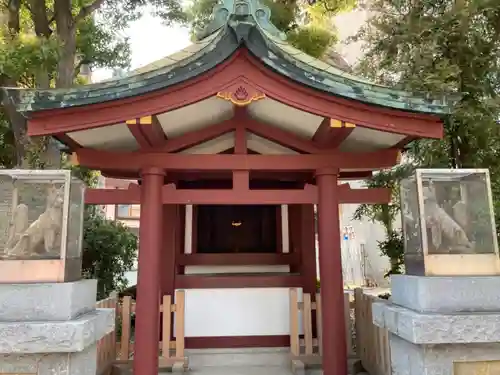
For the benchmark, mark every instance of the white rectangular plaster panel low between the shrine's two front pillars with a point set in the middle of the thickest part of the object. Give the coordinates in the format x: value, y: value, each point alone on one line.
x: 237, y: 312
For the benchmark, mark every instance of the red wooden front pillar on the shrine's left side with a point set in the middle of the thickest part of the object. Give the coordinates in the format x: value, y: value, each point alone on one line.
x: 148, y: 278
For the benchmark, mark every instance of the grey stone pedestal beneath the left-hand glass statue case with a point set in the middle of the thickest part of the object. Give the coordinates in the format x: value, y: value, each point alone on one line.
x: 51, y: 329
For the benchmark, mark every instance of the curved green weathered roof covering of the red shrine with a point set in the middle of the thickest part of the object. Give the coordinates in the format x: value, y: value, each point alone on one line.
x: 235, y: 23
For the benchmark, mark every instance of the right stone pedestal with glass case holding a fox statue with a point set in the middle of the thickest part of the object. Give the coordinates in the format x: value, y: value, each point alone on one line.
x: 444, y: 314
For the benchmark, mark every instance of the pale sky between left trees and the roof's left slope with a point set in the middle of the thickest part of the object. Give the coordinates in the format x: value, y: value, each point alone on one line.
x: 144, y: 49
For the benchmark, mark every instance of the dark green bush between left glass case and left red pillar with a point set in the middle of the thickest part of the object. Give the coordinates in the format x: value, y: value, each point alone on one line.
x: 109, y: 250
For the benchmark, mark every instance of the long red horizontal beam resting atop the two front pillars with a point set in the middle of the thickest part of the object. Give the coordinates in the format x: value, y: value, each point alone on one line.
x: 134, y: 161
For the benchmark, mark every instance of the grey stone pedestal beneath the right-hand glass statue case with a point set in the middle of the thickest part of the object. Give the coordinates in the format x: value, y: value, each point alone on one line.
x: 442, y: 325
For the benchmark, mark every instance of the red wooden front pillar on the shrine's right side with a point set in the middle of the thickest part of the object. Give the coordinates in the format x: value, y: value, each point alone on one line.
x: 330, y: 266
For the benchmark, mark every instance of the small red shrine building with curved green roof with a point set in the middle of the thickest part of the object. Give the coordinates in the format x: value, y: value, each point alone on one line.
x: 233, y: 140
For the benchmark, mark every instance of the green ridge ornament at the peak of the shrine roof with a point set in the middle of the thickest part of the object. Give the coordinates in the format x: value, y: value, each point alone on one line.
x: 234, y: 12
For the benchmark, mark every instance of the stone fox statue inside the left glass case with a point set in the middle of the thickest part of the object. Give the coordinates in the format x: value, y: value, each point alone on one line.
x: 40, y: 236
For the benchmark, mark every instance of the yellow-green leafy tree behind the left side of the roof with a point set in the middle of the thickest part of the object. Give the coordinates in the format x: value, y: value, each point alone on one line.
x: 44, y: 43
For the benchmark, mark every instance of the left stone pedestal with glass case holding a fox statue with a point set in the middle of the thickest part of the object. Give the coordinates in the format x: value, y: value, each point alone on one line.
x: 48, y: 320
